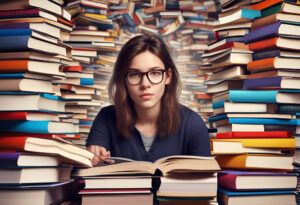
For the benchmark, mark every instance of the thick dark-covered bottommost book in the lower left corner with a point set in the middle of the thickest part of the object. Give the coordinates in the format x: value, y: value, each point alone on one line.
x: 43, y: 194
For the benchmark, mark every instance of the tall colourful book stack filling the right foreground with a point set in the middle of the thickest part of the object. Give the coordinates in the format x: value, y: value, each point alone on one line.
x: 255, y: 136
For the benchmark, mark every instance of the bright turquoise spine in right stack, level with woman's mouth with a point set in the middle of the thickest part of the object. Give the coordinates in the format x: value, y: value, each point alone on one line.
x: 257, y: 96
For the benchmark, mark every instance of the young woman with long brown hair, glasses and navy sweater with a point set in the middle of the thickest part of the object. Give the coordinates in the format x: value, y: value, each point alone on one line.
x: 146, y: 121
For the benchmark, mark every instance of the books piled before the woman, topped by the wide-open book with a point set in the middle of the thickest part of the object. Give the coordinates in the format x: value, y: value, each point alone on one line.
x: 175, y: 179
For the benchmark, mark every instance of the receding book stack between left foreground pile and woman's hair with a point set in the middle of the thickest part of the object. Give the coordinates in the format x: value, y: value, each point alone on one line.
x: 93, y: 46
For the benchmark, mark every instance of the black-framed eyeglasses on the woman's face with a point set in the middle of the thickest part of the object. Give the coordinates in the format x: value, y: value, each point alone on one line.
x: 154, y: 76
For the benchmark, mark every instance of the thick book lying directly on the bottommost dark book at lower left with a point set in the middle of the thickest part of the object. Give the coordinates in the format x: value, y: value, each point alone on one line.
x: 31, y: 175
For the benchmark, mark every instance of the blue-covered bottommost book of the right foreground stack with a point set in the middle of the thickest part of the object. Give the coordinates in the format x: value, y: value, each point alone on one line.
x: 282, y: 197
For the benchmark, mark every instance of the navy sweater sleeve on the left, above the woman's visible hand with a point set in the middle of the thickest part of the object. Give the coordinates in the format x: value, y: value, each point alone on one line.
x: 100, y: 134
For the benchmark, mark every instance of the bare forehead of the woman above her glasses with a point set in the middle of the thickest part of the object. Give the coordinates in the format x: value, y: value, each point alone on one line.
x: 146, y: 60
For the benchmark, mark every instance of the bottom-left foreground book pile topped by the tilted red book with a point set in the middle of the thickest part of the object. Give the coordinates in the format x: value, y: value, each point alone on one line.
x: 37, y: 170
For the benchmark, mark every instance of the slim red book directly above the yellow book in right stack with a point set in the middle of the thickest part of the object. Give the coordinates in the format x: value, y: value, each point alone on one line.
x: 266, y: 134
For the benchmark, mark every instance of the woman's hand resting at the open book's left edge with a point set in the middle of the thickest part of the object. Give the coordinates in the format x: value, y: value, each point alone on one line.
x: 100, y: 154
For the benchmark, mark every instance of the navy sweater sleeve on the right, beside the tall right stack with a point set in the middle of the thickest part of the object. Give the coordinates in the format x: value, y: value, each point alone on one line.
x: 198, y: 142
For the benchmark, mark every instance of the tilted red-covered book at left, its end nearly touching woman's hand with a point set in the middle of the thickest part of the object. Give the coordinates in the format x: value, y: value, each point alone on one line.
x: 68, y: 152
